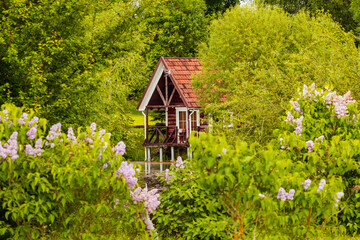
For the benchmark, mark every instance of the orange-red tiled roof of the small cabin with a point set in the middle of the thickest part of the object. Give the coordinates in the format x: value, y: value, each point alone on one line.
x: 181, y: 70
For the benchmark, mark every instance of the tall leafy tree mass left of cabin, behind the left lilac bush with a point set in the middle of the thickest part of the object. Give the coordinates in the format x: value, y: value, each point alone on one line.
x: 74, y: 61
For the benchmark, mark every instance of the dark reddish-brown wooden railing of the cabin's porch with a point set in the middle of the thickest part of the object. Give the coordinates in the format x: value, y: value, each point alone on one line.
x: 165, y: 136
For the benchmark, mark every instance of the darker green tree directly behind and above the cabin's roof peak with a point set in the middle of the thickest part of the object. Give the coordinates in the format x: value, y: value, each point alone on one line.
x: 173, y: 28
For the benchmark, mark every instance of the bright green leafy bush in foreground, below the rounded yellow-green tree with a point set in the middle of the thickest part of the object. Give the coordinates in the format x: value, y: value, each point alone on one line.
x: 247, y: 178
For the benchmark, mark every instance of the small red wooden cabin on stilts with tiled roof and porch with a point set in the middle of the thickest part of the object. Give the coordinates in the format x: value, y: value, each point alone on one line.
x: 169, y: 90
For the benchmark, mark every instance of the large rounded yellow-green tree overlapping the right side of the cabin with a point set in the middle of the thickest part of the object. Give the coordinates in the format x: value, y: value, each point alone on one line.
x: 257, y: 56
